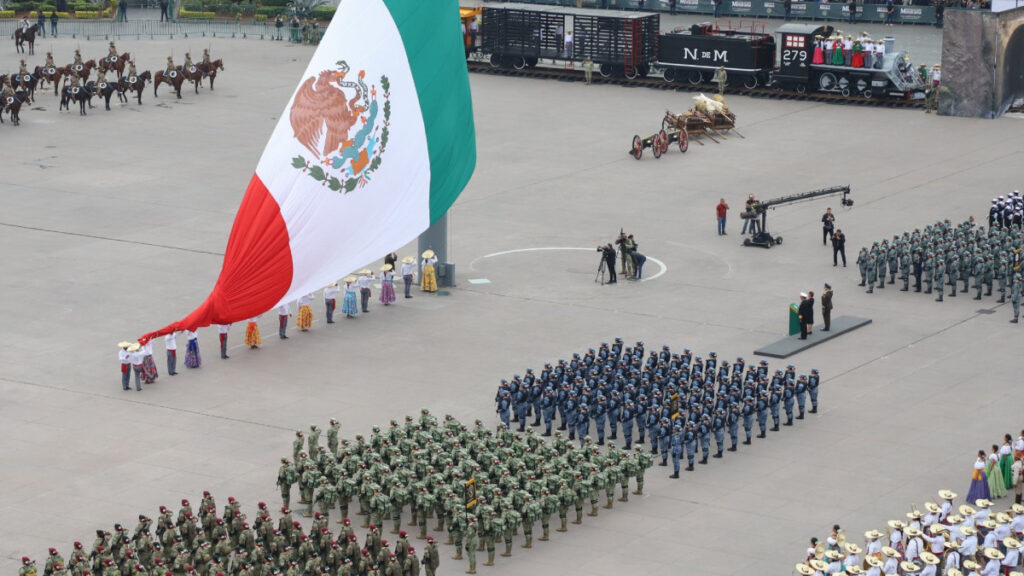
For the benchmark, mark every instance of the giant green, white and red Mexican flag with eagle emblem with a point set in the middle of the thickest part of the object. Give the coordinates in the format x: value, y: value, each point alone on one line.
x: 375, y: 145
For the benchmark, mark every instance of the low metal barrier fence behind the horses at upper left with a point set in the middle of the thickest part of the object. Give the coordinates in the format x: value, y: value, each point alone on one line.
x: 154, y: 29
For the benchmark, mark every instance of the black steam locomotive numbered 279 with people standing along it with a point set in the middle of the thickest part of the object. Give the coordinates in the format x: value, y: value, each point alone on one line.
x: 894, y: 77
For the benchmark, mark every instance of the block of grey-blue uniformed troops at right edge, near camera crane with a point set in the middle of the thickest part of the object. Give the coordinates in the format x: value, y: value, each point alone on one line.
x: 945, y: 255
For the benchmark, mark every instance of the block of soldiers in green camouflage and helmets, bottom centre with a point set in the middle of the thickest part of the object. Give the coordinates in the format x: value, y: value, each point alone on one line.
x: 484, y: 486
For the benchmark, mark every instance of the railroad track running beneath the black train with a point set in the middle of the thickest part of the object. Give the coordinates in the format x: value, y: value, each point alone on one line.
x: 573, y: 75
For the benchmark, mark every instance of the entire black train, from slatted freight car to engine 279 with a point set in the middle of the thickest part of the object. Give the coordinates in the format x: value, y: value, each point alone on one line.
x: 629, y: 46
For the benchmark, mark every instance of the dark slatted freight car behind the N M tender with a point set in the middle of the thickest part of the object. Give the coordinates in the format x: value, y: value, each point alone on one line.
x: 620, y: 45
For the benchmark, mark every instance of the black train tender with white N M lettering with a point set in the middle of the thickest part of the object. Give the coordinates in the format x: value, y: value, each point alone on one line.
x: 693, y: 56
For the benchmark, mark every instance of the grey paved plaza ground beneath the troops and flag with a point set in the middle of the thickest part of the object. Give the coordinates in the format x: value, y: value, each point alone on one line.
x: 113, y: 225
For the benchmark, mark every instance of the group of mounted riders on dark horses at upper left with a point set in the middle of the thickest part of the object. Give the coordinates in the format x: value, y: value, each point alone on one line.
x: 73, y: 84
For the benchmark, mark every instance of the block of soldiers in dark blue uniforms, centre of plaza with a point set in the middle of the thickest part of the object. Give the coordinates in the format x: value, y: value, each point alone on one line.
x: 677, y: 399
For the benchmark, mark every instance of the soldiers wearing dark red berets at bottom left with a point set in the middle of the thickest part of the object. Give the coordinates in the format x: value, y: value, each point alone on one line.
x: 203, y: 544
